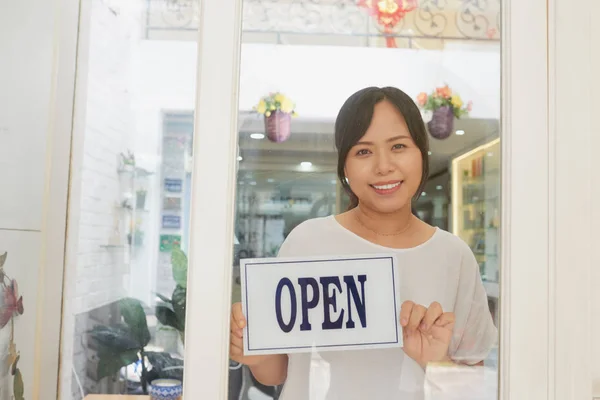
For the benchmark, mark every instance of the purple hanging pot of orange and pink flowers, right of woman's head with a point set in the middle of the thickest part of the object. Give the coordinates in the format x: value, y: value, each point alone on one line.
x: 444, y: 106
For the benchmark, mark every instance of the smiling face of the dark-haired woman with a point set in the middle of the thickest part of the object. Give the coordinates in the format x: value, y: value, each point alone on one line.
x: 384, y: 168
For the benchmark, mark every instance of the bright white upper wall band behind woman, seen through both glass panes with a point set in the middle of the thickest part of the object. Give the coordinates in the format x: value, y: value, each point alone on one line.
x: 318, y: 79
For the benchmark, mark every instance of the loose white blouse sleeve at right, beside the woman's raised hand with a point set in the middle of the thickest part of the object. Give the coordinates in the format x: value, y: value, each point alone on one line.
x: 474, y: 333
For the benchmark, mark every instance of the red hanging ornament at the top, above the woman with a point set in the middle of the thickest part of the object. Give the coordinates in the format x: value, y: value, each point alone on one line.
x: 388, y: 14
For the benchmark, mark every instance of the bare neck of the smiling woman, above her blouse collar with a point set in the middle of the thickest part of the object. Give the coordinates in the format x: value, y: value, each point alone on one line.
x: 385, y: 224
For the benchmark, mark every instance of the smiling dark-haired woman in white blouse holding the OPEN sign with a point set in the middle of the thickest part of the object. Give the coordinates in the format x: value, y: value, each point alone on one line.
x: 383, y: 165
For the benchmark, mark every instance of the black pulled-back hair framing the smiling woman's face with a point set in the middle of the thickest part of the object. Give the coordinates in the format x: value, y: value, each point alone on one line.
x: 354, y: 119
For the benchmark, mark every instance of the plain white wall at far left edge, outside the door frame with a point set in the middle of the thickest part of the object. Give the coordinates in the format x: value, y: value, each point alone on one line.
x: 26, y: 85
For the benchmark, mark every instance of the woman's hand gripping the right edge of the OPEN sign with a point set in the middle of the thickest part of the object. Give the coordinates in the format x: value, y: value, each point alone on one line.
x: 426, y: 332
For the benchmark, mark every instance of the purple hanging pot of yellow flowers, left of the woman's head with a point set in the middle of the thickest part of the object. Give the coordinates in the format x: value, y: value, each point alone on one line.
x: 277, y: 110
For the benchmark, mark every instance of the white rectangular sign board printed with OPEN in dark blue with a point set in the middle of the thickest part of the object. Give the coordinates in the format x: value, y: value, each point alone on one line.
x: 321, y: 304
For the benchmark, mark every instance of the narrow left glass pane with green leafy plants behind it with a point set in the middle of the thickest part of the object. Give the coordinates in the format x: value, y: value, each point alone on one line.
x: 126, y: 294
